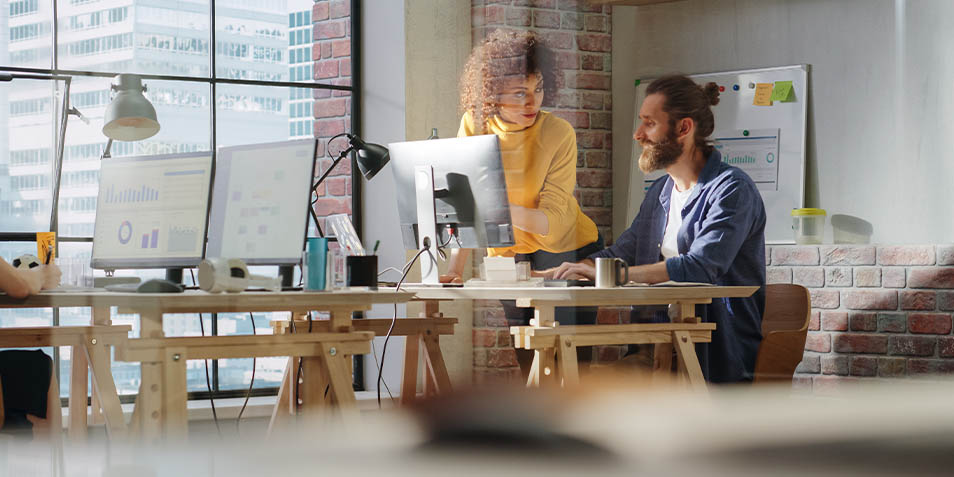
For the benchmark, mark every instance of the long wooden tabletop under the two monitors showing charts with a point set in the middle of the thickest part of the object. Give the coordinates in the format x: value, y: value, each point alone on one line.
x: 199, y: 301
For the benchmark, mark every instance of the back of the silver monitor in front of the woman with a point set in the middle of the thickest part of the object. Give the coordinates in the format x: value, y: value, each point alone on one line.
x: 470, y: 191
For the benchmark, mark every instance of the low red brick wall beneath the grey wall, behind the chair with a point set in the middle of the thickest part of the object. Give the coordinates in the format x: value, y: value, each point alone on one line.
x: 878, y: 312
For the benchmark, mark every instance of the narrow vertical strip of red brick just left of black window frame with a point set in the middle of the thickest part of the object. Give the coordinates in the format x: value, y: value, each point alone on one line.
x: 332, y: 109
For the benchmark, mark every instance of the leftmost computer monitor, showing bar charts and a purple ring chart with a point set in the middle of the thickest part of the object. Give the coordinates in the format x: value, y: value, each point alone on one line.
x: 151, y: 211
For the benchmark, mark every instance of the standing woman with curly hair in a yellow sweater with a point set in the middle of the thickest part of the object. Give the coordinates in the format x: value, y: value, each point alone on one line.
x: 506, y: 80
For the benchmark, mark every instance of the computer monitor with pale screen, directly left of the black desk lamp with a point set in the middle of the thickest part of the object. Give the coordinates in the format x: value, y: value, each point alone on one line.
x: 260, y: 202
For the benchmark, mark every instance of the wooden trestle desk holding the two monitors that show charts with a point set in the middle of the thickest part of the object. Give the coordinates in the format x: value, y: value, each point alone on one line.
x: 161, y: 404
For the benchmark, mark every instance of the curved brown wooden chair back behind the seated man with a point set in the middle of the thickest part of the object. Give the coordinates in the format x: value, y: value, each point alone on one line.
x: 784, y: 330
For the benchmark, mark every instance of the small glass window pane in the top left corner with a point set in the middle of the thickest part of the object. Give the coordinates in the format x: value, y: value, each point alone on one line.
x: 26, y: 34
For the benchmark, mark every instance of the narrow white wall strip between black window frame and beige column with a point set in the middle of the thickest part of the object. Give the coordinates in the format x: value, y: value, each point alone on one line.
x: 382, y: 121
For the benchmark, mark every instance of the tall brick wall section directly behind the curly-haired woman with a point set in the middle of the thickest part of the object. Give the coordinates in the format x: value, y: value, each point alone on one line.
x: 580, y: 36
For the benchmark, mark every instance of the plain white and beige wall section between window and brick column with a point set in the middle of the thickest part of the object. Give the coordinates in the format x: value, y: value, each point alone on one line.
x: 412, y: 53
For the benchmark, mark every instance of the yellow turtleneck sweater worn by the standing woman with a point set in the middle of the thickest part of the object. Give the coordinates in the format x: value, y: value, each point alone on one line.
x: 540, y: 169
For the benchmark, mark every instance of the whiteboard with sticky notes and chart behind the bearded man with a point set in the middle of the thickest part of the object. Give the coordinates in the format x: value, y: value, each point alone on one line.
x: 736, y: 114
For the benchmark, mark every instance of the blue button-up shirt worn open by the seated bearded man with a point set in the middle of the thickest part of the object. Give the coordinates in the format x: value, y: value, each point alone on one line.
x: 721, y: 241
